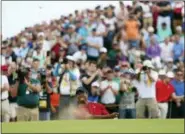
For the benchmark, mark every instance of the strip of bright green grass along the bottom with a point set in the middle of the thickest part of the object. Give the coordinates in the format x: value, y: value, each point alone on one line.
x: 95, y: 126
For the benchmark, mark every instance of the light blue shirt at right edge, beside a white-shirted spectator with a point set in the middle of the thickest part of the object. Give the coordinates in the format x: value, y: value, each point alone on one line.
x: 177, y: 51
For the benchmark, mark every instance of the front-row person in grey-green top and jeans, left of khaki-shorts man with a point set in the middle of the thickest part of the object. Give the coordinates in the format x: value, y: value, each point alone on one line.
x: 127, y: 108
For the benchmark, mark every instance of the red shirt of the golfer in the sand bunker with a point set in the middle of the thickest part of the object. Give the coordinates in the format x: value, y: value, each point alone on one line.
x: 96, y: 109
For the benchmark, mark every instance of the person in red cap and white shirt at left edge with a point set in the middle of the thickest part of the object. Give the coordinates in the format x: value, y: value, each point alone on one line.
x: 5, y: 111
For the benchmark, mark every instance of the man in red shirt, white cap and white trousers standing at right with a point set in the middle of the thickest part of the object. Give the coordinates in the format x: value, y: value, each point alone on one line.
x: 164, y: 92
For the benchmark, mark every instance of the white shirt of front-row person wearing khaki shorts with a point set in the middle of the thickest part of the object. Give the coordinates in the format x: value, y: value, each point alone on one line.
x: 145, y: 90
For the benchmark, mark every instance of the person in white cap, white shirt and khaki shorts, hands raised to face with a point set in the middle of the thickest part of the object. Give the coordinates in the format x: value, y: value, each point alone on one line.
x: 145, y: 85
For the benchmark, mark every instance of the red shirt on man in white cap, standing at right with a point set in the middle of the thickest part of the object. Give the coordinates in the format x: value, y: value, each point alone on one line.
x: 163, y: 91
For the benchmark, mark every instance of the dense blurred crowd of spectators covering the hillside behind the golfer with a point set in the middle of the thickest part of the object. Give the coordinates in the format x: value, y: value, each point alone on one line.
x: 130, y: 59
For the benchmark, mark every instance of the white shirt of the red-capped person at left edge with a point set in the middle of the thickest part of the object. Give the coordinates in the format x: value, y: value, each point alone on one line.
x: 4, y: 80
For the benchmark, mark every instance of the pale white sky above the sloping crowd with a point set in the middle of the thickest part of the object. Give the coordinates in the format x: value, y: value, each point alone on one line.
x: 16, y: 15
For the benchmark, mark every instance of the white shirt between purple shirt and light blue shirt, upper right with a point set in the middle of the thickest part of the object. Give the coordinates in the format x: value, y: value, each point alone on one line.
x: 166, y: 50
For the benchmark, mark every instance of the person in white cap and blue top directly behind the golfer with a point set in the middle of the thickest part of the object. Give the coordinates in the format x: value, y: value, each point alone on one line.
x: 95, y: 94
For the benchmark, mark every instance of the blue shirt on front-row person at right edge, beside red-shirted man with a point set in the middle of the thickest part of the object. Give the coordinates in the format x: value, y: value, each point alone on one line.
x: 179, y: 87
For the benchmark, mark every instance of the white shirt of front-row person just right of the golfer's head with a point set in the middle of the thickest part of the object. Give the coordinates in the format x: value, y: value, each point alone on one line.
x: 108, y: 97
